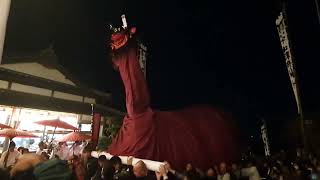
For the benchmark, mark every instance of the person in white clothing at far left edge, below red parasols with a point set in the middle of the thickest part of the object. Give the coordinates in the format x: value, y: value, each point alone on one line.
x: 9, y: 158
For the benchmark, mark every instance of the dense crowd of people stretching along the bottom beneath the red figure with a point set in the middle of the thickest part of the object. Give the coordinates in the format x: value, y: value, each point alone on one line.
x: 76, y: 163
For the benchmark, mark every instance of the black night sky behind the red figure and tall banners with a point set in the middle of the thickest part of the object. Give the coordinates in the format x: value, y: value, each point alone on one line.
x: 223, y: 53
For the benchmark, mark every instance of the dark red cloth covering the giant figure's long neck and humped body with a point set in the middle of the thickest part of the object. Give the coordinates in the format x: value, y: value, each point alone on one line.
x: 202, y: 135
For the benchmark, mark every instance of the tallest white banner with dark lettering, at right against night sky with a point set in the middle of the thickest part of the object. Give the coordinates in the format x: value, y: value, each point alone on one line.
x: 285, y: 44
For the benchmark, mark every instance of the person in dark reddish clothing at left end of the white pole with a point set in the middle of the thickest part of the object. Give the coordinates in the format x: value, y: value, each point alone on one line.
x: 90, y: 163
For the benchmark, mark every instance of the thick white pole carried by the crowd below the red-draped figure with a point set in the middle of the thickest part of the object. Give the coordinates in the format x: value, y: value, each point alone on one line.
x: 151, y: 165
